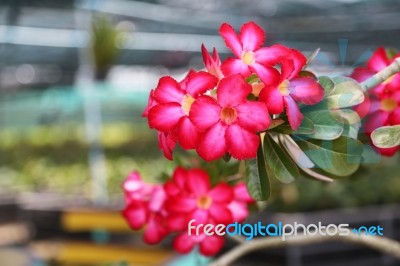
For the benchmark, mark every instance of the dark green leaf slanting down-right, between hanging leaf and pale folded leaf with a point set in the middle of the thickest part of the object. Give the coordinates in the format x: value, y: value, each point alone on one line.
x: 279, y: 162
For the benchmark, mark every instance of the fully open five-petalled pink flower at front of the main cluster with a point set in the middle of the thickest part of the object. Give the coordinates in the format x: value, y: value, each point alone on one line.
x: 230, y: 122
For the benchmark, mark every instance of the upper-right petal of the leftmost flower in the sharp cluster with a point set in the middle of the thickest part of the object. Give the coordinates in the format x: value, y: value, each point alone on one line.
x: 198, y: 83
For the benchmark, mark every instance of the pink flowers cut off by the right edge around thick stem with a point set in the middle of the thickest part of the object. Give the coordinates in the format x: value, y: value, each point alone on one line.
x: 381, y: 106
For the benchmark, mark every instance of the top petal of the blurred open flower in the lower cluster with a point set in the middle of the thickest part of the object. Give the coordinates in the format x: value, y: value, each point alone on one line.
x: 198, y: 182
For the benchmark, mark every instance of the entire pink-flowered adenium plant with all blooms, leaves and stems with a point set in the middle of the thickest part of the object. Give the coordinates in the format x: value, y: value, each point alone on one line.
x: 259, y: 115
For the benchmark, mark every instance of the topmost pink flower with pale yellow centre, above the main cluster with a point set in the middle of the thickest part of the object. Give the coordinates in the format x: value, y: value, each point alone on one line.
x: 251, y: 57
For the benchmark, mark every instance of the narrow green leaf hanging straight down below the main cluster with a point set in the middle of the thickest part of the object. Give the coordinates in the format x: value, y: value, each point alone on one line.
x: 257, y: 181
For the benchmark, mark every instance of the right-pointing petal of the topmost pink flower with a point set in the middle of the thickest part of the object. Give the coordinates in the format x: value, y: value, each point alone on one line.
x: 271, y: 55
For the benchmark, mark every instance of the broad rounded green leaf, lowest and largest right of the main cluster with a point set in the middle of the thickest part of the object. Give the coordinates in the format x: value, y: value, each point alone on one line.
x: 339, y: 157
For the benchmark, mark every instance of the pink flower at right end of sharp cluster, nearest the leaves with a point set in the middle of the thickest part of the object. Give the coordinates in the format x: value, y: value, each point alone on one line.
x: 292, y: 88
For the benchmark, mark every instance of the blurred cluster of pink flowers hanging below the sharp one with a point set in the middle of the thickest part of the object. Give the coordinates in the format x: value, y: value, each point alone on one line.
x: 167, y: 209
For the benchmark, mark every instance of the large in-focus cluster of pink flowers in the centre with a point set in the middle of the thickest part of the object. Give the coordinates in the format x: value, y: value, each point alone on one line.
x: 221, y: 110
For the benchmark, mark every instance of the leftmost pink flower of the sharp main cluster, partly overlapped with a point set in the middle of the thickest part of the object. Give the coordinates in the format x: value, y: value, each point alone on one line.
x: 171, y: 106
